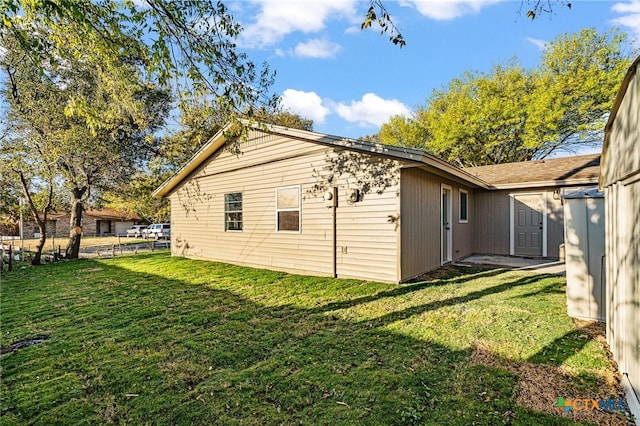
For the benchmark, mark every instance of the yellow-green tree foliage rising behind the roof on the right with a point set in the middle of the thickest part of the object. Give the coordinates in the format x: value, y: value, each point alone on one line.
x: 512, y: 114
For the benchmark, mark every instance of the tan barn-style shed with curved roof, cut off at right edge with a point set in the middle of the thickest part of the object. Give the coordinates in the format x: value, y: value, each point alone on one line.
x: 620, y: 181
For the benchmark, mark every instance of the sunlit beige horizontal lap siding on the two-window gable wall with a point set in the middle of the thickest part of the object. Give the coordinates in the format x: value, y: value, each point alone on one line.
x: 267, y: 163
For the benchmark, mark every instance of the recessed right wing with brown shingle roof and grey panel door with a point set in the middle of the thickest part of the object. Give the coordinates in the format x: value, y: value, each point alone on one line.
x: 523, y: 215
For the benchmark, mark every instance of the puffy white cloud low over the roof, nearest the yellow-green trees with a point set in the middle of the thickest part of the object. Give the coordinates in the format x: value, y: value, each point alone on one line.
x: 371, y: 110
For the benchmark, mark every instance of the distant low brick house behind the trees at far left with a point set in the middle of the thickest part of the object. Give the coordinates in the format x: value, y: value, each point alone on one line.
x: 94, y: 223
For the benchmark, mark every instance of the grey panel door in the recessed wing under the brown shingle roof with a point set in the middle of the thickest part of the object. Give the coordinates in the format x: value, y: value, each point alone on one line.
x: 527, y: 225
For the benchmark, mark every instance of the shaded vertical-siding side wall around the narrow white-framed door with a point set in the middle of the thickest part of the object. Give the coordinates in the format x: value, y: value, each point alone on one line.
x: 421, y: 222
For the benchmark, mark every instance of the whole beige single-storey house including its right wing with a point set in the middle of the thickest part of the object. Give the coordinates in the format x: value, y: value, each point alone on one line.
x: 311, y: 203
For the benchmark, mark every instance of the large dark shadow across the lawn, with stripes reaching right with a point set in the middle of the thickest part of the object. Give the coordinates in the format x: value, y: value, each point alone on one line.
x: 139, y: 348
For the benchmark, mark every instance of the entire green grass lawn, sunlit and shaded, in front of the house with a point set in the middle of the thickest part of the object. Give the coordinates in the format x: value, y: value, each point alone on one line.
x: 152, y: 339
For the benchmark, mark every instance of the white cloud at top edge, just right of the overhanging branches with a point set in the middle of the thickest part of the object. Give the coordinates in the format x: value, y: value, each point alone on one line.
x: 277, y: 18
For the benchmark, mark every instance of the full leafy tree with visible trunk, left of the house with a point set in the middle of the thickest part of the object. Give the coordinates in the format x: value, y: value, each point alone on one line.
x: 88, y: 157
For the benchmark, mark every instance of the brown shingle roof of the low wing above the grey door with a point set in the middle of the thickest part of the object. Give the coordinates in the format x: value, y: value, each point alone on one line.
x: 576, y: 170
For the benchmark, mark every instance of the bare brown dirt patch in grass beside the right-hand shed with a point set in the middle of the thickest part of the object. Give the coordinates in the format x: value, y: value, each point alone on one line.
x: 540, y: 384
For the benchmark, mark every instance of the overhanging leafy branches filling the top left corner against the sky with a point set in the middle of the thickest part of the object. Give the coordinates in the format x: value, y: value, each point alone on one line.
x: 188, y: 44
